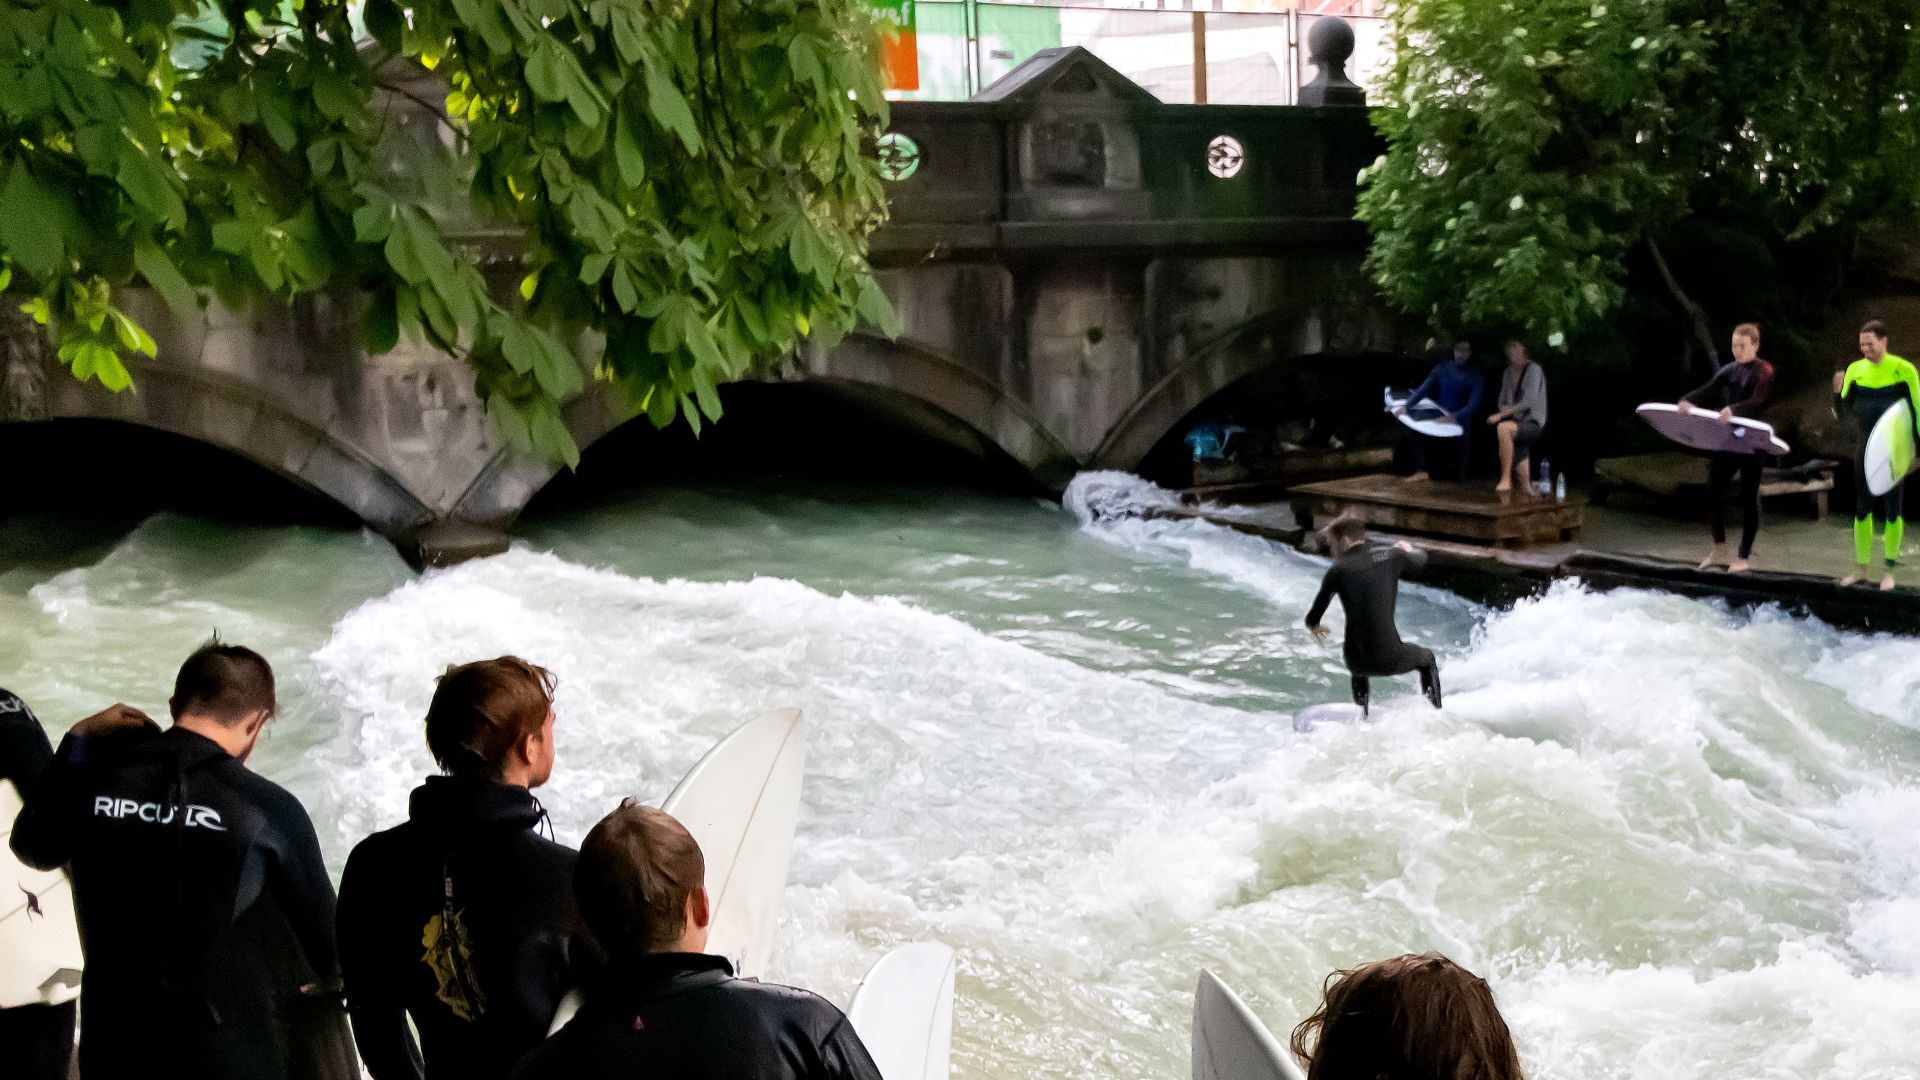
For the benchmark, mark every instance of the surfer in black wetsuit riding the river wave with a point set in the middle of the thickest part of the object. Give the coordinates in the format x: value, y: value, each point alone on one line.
x: 1368, y: 583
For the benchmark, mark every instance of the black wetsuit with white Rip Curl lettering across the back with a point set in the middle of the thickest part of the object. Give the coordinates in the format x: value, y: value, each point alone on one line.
x: 203, y: 902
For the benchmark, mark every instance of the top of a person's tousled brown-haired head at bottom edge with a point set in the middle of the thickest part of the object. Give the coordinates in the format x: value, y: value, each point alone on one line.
x: 1414, y: 1018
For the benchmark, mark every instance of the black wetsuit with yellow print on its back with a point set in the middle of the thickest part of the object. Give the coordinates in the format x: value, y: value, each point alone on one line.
x: 512, y: 906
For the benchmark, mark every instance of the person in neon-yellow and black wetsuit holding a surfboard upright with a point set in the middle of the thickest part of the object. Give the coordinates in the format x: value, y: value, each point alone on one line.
x: 1871, y: 387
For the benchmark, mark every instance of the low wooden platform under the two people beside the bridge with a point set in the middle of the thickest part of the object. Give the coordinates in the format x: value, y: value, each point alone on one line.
x: 1464, y: 512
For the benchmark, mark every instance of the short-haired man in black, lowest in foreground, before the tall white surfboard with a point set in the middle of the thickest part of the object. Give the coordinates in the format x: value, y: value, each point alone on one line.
x: 663, y: 1008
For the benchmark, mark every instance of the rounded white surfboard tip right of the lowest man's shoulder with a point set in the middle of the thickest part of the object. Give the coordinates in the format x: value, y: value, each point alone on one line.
x: 905, y: 1012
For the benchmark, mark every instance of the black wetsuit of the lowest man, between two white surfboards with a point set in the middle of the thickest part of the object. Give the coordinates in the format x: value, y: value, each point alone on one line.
x: 686, y: 1018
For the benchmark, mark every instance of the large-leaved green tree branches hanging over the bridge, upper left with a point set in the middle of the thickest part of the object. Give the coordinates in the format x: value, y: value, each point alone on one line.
x: 686, y: 182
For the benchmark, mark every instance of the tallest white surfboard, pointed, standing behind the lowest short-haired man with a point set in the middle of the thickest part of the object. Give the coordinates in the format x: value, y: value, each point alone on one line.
x: 740, y: 802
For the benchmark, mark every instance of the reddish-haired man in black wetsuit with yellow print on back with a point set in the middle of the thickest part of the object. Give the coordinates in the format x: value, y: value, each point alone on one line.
x: 464, y: 918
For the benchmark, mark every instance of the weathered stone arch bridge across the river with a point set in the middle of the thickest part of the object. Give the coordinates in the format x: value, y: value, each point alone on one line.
x: 1078, y: 268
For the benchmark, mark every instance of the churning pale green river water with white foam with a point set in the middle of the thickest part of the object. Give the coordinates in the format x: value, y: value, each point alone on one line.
x: 1681, y: 843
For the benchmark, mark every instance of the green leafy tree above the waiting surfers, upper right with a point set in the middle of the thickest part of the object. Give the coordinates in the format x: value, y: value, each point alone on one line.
x: 1535, y: 147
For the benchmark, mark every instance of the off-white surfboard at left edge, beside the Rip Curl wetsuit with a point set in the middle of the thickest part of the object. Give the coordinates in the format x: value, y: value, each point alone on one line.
x: 39, y: 937
